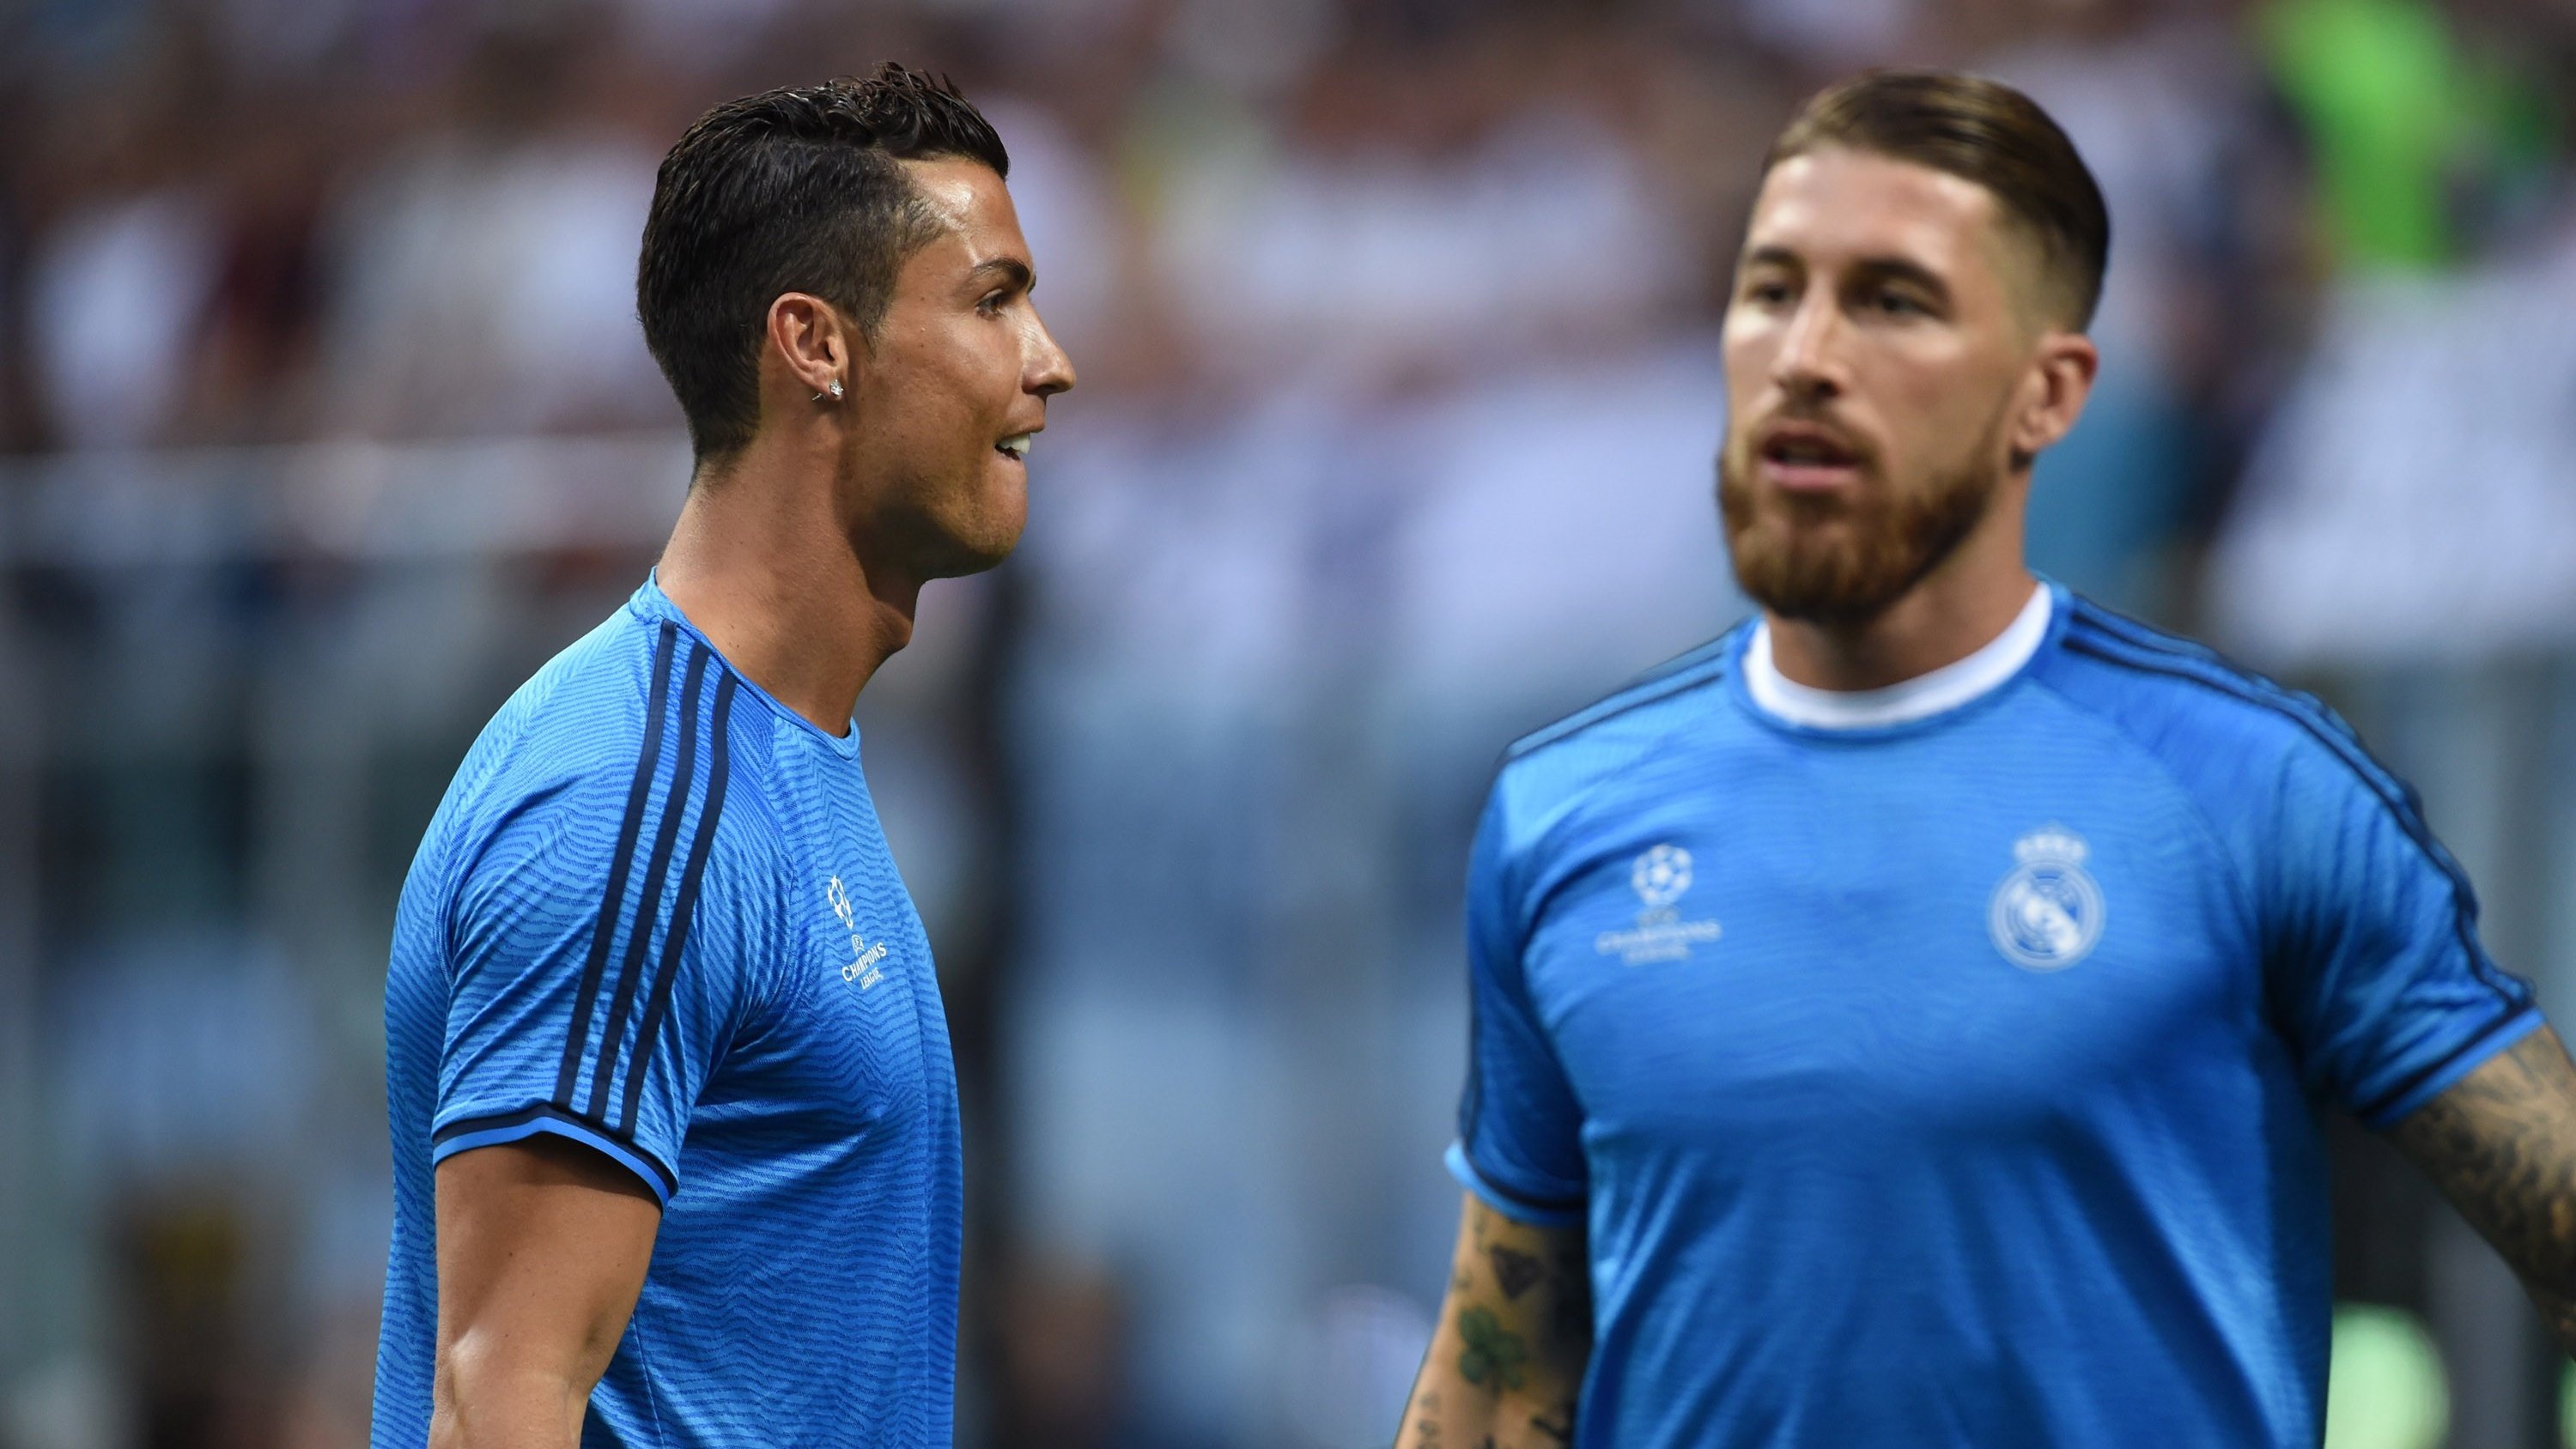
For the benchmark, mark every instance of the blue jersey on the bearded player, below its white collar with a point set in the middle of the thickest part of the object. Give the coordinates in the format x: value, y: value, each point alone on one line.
x: 1959, y: 1082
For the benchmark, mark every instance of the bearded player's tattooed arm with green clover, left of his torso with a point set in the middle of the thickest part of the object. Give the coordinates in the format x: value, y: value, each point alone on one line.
x: 1513, y: 1342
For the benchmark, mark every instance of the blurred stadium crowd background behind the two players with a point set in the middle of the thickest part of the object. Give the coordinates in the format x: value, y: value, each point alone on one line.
x: 326, y: 418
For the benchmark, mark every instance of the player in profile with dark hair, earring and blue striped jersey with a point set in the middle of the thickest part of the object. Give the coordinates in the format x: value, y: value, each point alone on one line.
x: 676, y: 1129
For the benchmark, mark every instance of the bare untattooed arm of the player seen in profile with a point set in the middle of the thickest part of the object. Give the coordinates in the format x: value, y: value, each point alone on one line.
x: 542, y: 1252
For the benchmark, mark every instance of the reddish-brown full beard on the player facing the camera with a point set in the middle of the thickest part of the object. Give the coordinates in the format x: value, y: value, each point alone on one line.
x: 1848, y: 560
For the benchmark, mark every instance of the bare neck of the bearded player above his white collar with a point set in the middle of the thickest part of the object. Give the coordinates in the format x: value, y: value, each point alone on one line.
x: 1954, y: 611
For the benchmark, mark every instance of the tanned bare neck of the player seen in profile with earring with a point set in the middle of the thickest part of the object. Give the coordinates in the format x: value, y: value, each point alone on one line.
x: 766, y: 565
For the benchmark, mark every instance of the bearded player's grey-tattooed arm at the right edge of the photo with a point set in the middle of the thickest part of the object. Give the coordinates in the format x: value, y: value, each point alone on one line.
x: 2503, y: 1147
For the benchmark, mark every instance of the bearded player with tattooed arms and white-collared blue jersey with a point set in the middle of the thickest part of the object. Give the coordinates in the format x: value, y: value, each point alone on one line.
x: 1905, y: 1020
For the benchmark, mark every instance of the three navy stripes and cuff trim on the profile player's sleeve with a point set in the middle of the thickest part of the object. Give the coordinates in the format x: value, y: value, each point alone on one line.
x: 640, y: 974
